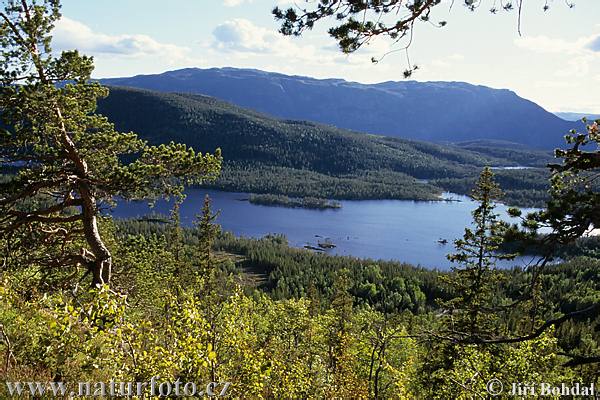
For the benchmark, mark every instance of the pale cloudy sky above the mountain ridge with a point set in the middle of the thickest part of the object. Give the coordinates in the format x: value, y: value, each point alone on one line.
x: 555, y: 62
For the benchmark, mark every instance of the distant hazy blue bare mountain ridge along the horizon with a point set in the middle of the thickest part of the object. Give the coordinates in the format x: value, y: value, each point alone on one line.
x: 431, y: 111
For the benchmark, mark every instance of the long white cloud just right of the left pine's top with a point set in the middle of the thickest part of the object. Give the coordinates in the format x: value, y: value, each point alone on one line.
x: 70, y: 34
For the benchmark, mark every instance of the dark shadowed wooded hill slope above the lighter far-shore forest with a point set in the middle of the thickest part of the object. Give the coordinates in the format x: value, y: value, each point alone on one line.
x: 249, y: 137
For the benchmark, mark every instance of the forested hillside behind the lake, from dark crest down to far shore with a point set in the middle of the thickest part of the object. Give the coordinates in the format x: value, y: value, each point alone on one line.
x: 267, y: 155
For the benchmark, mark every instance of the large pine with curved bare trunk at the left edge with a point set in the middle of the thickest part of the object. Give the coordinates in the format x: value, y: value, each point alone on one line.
x: 70, y: 158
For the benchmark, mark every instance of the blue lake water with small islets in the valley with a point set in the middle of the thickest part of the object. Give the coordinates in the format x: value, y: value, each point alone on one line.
x: 401, y: 230
